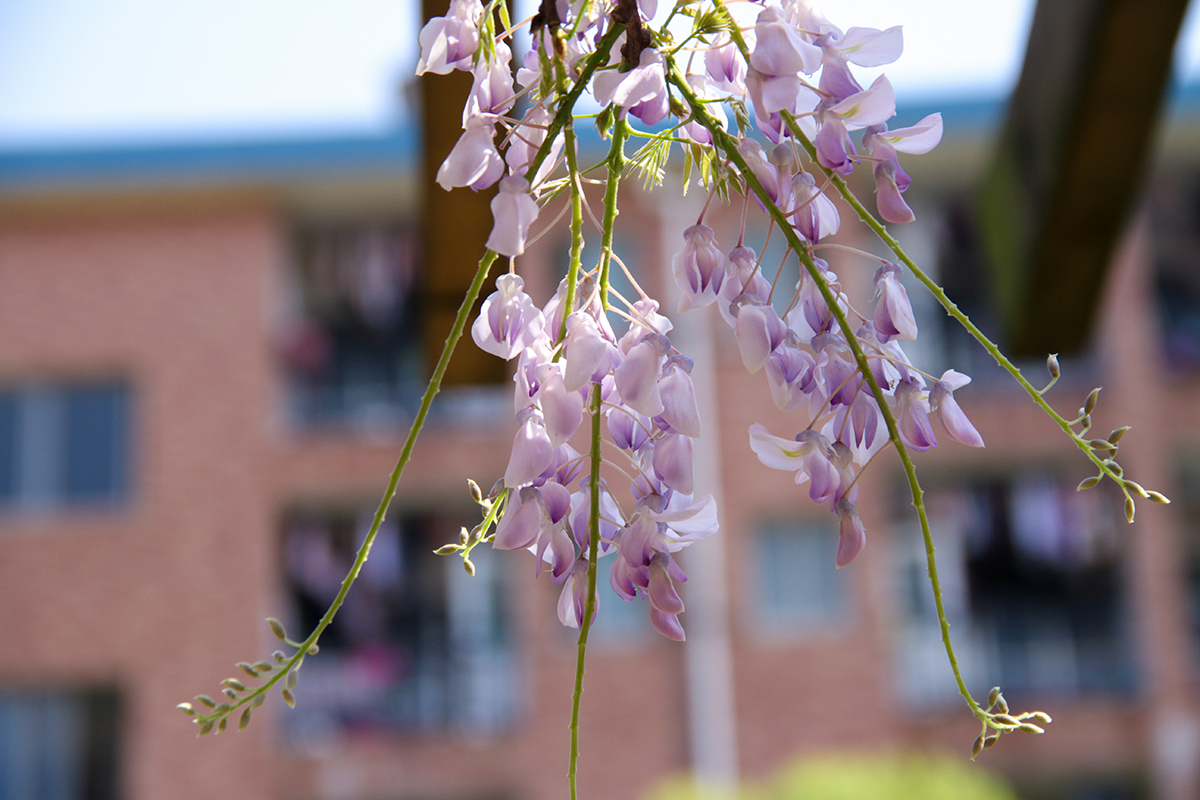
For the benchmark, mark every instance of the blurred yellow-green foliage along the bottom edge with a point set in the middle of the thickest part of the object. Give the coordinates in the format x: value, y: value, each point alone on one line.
x: 859, y: 777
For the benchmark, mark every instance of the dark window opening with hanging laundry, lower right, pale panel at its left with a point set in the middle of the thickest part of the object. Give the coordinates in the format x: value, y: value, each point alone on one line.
x: 1030, y: 576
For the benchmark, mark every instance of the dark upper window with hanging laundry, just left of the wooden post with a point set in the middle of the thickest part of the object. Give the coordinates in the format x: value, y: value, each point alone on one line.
x: 355, y: 353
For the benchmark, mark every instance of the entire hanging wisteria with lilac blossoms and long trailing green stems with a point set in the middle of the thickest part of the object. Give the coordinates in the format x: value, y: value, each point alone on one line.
x: 763, y: 101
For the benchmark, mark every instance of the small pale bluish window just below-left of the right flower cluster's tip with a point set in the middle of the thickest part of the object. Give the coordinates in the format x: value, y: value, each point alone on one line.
x: 799, y: 587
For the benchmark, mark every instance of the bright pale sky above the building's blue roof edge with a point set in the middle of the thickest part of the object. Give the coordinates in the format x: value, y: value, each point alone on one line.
x: 80, y: 71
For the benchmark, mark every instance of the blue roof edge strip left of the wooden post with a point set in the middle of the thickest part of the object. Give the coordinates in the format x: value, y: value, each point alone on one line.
x: 238, y: 164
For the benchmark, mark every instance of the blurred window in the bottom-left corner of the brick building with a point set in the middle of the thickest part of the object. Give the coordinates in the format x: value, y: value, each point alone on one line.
x: 58, y: 745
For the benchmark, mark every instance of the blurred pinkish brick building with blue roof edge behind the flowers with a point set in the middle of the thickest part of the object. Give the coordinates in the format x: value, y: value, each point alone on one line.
x: 211, y: 357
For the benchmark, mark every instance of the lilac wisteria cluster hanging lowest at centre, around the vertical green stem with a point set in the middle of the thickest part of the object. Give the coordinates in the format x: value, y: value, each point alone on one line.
x: 650, y: 406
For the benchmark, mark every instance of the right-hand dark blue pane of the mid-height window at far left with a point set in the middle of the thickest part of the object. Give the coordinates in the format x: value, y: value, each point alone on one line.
x: 95, y: 444
